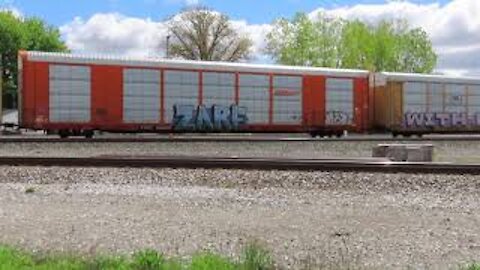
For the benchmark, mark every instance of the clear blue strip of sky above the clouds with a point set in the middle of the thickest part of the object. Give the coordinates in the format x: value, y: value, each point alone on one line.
x: 254, y: 11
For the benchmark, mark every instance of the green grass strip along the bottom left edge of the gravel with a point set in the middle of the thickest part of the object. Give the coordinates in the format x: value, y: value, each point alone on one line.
x: 254, y: 257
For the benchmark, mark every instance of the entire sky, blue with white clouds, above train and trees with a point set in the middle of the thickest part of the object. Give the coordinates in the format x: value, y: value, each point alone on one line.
x: 139, y: 27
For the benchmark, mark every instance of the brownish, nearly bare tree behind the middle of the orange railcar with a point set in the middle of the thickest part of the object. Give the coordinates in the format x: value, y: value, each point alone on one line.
x: 202, y: 34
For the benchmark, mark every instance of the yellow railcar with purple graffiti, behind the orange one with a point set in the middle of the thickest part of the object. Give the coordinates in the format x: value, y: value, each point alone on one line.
x: 419, y: 104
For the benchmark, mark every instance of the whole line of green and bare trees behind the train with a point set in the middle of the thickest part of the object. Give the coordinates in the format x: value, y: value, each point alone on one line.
x: 202, y: 34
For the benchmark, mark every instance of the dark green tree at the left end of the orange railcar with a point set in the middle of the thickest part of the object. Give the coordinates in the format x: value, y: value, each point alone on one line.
x: 23, y: 34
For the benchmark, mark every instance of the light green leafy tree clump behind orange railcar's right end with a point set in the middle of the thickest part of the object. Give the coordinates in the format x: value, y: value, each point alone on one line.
x: 327, y: 42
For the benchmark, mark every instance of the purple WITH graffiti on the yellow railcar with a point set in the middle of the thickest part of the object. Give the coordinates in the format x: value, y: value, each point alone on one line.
x: 441, y: 119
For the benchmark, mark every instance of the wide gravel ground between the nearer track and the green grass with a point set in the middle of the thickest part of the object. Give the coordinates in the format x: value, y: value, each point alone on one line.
x: 374, y: 221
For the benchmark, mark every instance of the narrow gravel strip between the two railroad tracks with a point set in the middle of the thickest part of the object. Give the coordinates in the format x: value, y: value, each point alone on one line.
x: 451, y: 151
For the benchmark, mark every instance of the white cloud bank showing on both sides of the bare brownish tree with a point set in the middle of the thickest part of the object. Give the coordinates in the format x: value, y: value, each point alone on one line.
x: 117, y: 34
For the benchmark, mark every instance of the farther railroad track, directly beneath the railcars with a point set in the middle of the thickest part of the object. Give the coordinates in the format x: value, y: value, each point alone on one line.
x: 190, y: 139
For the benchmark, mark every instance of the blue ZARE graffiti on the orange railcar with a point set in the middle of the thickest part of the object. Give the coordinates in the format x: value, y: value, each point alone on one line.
x: 203, y: 118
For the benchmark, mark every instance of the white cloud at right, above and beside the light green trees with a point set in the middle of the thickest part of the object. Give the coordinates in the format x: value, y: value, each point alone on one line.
x: 454, y: 27
